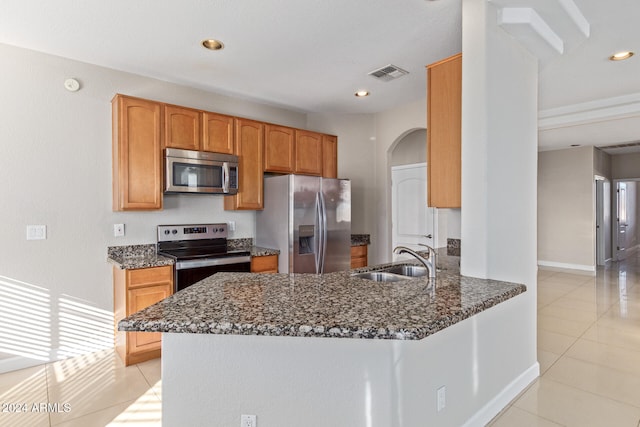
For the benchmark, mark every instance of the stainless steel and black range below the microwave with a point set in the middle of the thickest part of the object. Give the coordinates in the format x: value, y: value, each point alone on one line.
x: 199, y: 250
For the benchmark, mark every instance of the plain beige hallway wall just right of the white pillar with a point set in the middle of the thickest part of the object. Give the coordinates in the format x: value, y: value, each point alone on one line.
x: 566, y: 209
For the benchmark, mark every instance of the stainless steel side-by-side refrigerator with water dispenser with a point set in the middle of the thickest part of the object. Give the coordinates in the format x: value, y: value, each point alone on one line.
x: 309, y: 219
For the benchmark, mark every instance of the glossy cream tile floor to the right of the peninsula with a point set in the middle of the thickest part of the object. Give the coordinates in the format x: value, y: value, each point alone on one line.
x: 588, y: 349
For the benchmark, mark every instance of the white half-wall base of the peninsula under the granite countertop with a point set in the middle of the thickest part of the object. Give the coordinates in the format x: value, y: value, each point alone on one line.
x: 212, y: 379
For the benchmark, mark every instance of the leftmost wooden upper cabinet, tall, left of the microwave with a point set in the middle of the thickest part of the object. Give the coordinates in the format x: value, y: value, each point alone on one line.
x: 137, y: 154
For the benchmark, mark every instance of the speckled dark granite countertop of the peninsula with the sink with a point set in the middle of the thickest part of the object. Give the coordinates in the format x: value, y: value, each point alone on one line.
x: 332, y: 305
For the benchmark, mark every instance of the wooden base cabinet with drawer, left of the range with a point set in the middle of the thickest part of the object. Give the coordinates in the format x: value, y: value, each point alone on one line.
x: 134, y: 290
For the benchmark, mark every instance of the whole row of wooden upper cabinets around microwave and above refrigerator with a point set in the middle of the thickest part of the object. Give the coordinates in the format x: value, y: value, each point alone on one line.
x: 142, y: 128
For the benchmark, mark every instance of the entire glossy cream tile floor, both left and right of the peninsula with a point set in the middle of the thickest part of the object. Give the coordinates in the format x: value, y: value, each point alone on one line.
x: 588, y: 349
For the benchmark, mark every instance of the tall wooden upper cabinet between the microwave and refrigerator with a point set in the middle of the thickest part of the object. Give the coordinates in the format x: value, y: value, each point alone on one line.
x: 249, y: 147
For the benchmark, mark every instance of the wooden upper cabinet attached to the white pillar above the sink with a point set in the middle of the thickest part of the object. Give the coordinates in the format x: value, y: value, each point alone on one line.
x: 444, y: 106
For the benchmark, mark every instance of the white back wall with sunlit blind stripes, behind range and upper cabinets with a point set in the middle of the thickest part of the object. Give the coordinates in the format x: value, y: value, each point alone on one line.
x: 56, y: 170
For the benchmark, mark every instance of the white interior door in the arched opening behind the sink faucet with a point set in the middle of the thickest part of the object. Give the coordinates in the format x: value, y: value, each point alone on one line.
x: 412, y: 221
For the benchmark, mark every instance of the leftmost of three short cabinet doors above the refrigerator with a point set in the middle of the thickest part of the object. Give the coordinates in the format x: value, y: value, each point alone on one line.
x: 279, y: 149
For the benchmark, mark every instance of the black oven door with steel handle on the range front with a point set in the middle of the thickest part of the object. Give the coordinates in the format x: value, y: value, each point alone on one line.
x: 190, y: 272
